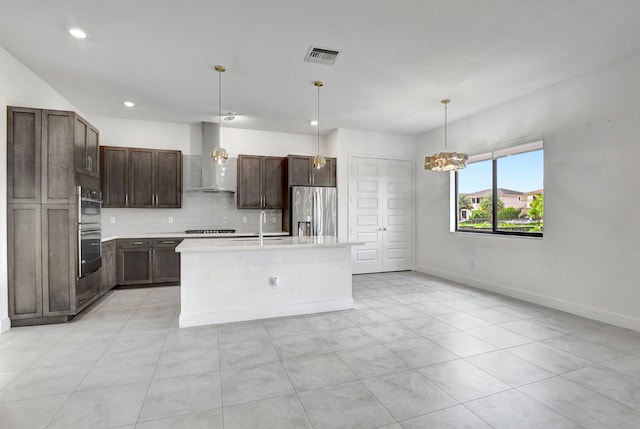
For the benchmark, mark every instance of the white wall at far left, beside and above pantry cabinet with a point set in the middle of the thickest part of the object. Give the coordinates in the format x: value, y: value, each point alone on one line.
x: 18, y: 87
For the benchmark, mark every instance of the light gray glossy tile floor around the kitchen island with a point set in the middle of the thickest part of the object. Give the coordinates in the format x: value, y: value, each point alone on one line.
x: 417, y: 352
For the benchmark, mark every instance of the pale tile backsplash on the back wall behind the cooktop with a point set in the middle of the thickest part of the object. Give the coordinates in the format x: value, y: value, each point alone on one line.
x: 199, y: 211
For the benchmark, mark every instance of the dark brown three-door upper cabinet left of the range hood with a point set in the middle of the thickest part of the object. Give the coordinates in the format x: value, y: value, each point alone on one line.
x: 141, y: 178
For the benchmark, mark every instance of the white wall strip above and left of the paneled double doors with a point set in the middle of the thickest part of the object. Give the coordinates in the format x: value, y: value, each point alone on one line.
x: 347, y: 142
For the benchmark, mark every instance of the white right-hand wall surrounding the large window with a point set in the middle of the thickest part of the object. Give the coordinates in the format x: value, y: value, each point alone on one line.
x: 587, y: 259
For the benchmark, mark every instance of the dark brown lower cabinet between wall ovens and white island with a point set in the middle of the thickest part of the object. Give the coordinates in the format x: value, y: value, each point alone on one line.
x: 141, y: 262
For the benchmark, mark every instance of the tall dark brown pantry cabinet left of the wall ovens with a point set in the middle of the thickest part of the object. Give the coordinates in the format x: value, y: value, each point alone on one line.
x: 41, y: 208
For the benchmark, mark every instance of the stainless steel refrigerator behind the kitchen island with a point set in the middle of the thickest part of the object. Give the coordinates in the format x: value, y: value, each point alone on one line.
x: 314, y: 211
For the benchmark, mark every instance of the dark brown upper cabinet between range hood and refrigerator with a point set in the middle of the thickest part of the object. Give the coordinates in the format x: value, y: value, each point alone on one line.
x: 261, y: 182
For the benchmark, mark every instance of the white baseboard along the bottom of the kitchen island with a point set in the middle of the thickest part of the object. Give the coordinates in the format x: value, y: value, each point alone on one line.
x: 200, y: 319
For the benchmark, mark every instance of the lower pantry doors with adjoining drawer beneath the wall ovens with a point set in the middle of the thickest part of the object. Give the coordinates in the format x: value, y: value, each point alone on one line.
x: 42, y: 265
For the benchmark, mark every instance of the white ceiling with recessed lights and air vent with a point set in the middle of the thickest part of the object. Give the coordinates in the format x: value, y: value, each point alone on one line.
x: 398, y: 58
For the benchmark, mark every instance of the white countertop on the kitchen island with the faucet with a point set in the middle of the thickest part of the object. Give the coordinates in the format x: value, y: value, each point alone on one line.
x: 270, y: 243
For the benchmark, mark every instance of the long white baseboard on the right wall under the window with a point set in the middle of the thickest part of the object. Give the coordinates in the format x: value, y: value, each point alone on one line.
x: 547, y: 301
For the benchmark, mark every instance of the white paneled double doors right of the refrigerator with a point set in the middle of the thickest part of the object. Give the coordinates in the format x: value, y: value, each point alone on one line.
x: 381, y: 214
